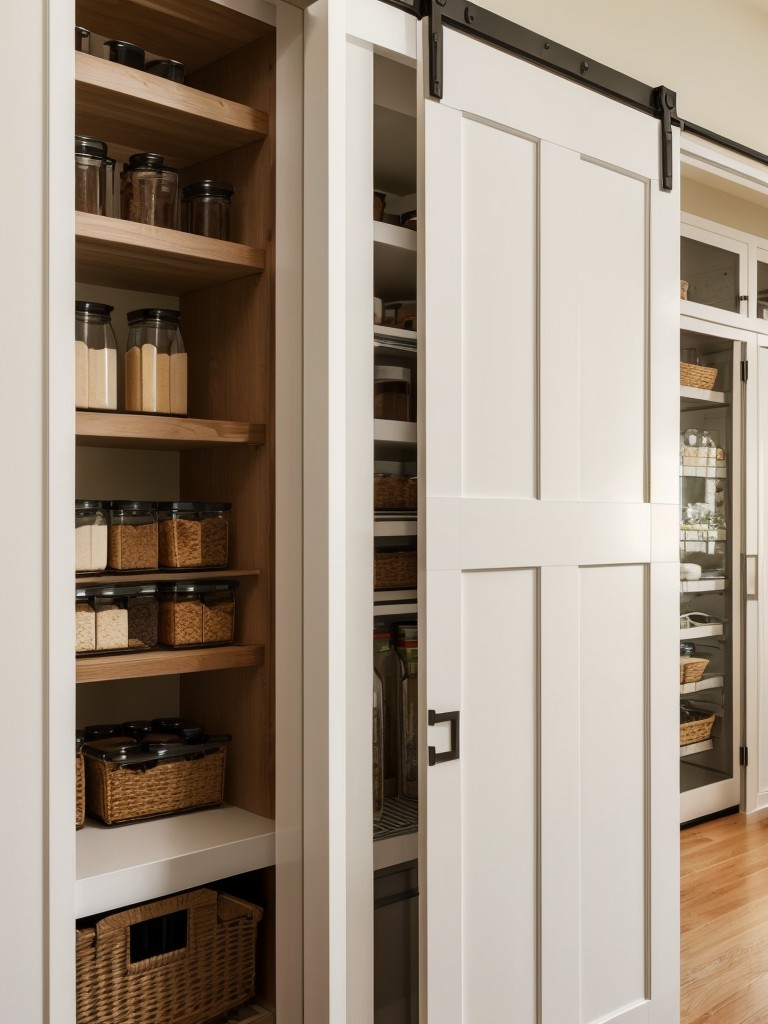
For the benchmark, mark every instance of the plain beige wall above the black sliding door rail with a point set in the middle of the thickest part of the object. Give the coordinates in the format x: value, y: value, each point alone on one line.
x: 712, y: 53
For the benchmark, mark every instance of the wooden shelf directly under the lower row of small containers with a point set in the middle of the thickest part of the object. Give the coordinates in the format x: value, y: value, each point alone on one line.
x: 162, y: 662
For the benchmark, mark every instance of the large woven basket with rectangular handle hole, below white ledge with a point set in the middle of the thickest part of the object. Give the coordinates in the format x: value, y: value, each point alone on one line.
x: 211, y: 974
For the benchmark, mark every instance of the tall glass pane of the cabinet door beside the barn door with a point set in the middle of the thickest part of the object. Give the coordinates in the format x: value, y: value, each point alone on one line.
x: 709, y: 447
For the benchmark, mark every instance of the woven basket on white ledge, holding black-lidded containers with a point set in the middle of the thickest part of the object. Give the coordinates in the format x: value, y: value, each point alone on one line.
x: 118, y: 793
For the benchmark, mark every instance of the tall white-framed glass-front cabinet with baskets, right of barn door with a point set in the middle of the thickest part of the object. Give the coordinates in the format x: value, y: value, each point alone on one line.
x: 711, y: 510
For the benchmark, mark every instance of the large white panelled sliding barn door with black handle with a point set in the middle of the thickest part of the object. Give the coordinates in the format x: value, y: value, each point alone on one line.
x: 549, y: 411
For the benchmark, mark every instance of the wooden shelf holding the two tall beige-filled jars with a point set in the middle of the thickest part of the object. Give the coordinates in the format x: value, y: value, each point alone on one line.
x: 170, y: 434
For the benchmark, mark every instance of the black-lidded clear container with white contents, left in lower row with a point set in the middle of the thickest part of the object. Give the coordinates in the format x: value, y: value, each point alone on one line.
x: 123, y: 618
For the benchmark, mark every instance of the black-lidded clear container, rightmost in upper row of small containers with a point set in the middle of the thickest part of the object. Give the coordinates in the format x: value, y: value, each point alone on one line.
x: 194, y: 535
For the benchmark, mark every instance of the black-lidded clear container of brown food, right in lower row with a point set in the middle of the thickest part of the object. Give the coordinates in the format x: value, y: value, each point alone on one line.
x: 197, y: 614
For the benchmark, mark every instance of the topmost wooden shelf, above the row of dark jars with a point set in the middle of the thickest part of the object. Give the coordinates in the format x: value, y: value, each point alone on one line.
x: 144, y: 113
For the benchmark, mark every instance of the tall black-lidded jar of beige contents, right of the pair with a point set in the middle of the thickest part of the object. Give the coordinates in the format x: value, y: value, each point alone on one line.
x: 155, y: 364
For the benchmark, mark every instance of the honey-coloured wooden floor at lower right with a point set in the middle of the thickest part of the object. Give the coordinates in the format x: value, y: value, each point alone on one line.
x: 724, y: 922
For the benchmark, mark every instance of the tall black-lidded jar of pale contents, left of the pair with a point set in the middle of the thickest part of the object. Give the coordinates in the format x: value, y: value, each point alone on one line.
x: 96, y: 358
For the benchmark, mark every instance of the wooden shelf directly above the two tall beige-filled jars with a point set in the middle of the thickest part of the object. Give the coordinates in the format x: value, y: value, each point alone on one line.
x: 156, y: 260
